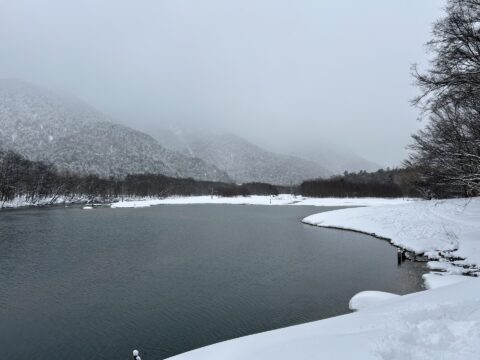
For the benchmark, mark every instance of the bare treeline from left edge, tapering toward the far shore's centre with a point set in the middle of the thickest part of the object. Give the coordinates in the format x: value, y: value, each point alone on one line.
x: 35, y: 180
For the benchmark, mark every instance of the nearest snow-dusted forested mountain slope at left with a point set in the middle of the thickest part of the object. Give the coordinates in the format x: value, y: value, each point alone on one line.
x: 44, y: 125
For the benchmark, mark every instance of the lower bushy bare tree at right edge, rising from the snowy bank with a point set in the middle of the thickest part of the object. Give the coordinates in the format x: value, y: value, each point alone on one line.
x: 447, y: 152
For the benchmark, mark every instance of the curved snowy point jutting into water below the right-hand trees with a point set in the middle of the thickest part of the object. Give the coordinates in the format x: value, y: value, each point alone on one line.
x: 446, y: 230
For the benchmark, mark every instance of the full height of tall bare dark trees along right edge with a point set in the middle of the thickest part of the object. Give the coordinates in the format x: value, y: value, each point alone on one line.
x: 447, y: 151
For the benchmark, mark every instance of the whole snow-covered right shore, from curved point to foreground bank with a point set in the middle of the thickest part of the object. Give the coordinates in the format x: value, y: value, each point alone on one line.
x: 440, y: 323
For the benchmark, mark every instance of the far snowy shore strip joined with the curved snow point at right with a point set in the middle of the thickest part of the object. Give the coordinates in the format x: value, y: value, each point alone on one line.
x: 446, y: 231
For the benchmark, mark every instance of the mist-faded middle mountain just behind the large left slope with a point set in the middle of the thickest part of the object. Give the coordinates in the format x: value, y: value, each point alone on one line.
x: 240, y: 159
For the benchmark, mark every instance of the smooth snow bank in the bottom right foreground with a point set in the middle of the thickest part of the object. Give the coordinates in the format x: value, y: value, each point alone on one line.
x: 442, y: 323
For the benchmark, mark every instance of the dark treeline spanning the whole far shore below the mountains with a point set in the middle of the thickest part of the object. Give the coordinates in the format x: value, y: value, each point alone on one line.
x: 37, y: 180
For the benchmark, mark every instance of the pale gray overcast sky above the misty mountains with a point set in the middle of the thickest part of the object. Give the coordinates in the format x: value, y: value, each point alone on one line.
x: 281, y: 73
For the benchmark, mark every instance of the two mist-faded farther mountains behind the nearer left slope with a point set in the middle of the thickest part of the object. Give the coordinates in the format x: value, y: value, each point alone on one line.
x: 245, y: 161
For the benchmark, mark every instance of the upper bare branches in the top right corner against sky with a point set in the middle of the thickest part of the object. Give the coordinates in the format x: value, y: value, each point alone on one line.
x: 454, y: 73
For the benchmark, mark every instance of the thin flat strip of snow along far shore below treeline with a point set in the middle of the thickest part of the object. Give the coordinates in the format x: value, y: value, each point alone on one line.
x: 283, y: 199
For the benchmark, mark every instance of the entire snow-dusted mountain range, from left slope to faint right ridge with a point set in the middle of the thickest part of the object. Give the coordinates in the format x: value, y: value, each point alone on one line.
x: 45, y: 125
